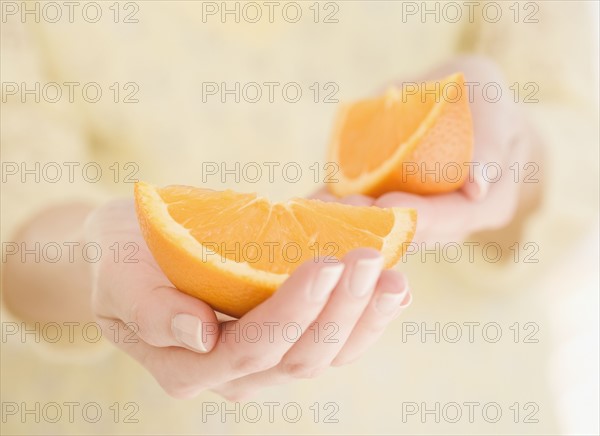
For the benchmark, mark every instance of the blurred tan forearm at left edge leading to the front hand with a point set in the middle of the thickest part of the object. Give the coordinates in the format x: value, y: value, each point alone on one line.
x: 45, y: 274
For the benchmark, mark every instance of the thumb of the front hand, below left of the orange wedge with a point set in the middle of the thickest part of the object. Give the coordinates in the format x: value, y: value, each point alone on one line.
x: 144, y: 298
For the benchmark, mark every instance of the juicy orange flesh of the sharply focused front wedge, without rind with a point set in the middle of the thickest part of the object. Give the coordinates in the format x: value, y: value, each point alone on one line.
x: 273, y: 237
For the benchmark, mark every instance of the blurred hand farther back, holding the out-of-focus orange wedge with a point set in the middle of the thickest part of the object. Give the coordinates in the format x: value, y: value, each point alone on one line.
x: 501, y: 137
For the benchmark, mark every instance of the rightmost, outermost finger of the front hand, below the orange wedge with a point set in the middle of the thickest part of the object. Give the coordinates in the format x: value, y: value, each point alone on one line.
x: 391, y: 296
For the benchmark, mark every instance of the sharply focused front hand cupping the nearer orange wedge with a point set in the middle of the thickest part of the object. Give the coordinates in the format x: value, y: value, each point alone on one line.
x: 340, y: 308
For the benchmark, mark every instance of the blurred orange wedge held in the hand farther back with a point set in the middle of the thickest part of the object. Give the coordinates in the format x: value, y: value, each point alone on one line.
x: 414, y: 139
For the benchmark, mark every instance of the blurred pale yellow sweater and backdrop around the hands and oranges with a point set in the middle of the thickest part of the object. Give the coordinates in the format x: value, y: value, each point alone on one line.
x: 159, y: 91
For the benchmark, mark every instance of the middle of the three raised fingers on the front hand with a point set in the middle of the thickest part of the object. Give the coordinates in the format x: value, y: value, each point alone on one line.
x: 317, y: 348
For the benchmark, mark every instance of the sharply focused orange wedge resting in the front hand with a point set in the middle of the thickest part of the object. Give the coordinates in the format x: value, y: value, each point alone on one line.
x: 233, y: 250
